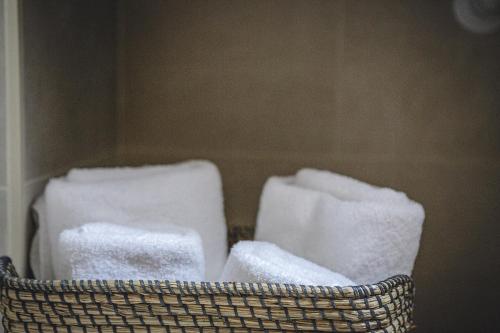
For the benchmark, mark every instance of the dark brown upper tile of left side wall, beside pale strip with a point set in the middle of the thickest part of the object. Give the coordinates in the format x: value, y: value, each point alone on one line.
x: 69, y: 83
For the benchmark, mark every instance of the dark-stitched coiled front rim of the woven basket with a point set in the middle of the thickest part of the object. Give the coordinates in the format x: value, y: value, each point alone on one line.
x: 9, y: 278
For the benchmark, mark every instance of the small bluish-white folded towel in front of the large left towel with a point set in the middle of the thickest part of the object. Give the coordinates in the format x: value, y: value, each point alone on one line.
x: 151, y: 252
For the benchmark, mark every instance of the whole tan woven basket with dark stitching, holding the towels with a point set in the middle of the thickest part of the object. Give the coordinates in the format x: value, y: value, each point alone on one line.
x: 162, y: 306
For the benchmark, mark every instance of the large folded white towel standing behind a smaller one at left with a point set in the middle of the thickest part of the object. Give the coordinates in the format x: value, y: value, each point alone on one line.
x: 187, y: 194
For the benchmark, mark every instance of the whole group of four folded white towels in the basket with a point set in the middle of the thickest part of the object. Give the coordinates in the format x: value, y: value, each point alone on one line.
x: 167, y: 223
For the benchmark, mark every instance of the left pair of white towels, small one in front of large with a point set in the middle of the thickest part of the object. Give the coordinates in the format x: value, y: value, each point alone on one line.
x: 154, y: 199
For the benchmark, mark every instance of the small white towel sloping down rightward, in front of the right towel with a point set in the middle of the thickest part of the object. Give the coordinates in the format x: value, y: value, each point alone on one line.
x: 252, y: 261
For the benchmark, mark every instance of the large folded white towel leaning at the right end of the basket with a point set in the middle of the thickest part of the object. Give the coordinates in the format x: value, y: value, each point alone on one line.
x: 364, y: 232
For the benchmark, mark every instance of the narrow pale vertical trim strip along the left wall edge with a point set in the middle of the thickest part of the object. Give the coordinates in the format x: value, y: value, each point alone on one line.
x: 16, y: 224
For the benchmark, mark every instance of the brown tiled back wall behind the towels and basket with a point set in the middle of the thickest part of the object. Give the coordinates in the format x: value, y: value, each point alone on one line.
x: 391, y: 92
